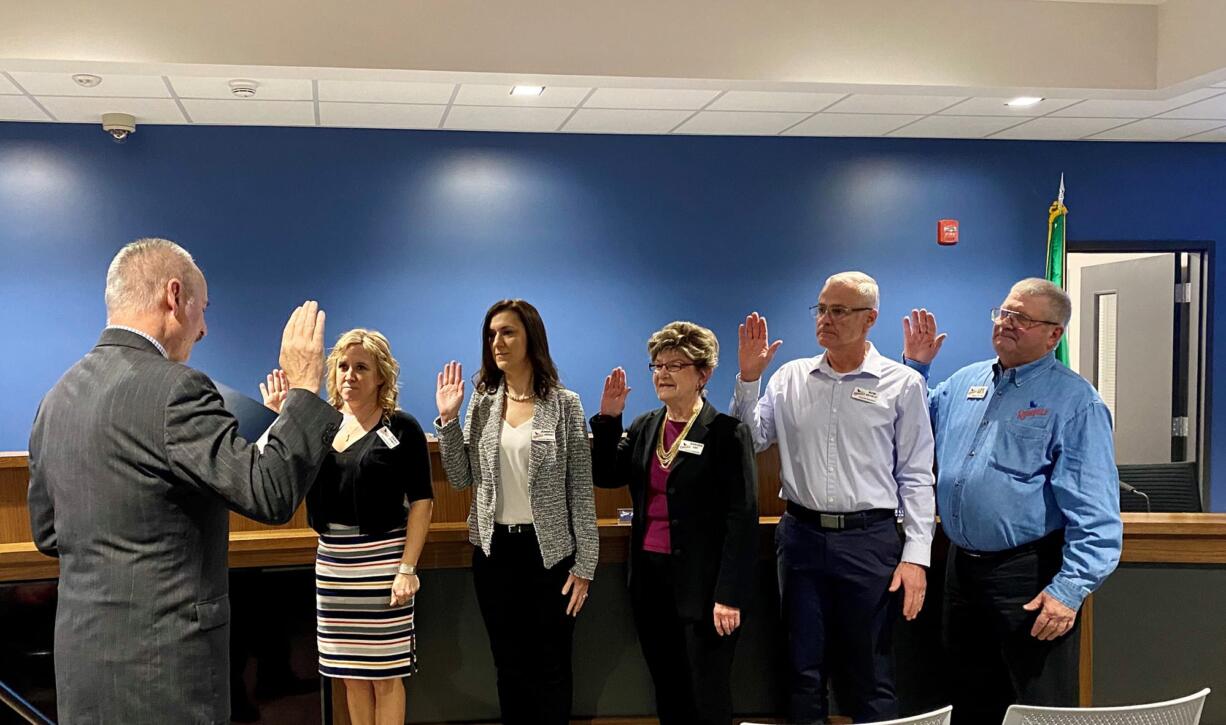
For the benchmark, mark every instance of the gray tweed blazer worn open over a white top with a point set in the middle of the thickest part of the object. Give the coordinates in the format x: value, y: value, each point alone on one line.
x: 560, y: 474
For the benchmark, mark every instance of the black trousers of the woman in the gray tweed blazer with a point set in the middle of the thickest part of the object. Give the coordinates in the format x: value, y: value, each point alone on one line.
x: 530, y: 632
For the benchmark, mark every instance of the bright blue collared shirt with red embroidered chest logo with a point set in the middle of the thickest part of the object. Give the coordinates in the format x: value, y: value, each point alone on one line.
x: 1022, y: 453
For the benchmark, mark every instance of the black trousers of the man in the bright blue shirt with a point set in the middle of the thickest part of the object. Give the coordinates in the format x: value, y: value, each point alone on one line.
x: 994, y: 659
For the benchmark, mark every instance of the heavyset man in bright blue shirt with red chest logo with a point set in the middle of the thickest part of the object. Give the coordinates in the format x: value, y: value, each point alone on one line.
x: 1029, y: 497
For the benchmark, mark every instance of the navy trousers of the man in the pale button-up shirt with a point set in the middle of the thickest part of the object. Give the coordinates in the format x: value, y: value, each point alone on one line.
x: 839, y: 616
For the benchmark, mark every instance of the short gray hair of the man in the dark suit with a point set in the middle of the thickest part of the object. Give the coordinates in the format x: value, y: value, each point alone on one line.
x: 139, y: 273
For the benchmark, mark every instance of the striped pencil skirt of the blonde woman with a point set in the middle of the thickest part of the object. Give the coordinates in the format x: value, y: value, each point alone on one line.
x: 360, y: 636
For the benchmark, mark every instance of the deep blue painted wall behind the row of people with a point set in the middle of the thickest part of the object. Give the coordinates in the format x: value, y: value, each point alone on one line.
x: 417, y: 234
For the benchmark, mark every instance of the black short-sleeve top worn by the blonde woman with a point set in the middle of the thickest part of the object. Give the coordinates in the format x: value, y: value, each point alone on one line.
x: 372, y: 483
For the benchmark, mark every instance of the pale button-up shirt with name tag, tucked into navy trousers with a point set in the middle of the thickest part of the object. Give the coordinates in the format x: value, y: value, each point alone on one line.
x: 849, y: 442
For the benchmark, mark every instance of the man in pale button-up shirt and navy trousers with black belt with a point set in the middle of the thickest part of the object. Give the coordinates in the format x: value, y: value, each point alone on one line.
x: 855, y: 443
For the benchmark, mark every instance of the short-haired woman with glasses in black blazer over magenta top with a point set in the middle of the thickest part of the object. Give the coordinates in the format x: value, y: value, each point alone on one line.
x: 695, y: 484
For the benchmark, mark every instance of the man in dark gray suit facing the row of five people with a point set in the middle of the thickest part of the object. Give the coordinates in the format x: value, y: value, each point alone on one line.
x: 133, y: 467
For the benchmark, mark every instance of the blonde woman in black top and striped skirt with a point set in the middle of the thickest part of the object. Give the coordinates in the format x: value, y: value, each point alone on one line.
x: 366, y: 569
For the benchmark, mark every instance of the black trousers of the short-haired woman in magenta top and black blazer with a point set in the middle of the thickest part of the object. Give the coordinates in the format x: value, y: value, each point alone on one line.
x: 691, y: 664
